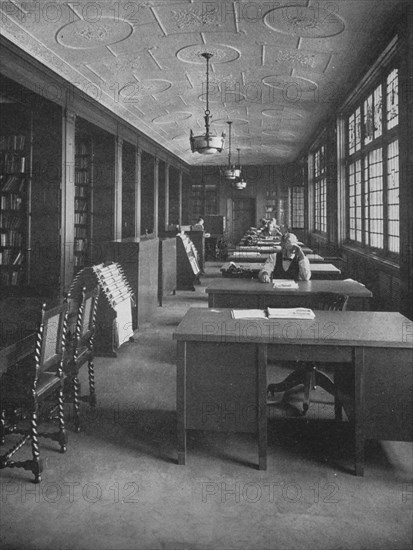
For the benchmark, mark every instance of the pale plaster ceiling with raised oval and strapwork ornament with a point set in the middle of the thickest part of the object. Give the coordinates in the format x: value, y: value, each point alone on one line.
x: 278, y: 68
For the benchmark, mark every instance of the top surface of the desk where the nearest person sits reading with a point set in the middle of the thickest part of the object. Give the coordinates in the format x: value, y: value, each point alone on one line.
x: 248, y: 286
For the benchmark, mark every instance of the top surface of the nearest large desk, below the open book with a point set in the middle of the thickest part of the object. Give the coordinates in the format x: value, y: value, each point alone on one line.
x: 382, y: 329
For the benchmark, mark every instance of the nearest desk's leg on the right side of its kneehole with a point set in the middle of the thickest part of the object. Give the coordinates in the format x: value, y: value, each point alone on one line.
x: 359, y: 410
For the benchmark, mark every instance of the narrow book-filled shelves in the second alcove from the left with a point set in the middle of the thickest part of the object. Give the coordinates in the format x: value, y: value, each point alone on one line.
x: 83, y: 201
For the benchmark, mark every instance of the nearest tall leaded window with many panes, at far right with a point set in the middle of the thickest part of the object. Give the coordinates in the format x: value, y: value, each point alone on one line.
x: 372, y: 157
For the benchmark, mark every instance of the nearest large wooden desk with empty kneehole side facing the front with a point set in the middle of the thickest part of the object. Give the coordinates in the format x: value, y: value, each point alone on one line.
x: 221, y: 371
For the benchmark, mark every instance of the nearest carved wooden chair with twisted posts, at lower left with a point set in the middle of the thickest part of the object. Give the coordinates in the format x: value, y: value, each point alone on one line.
x: 31, y: 383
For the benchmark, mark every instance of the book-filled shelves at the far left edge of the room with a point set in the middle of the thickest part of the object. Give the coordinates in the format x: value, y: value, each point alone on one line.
x: 14, y: 184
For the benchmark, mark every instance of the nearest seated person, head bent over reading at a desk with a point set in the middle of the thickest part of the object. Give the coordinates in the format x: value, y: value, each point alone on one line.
x: 290, y: 263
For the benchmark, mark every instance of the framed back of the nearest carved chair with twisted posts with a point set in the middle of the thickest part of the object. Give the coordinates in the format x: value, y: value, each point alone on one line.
x: 51, y: 338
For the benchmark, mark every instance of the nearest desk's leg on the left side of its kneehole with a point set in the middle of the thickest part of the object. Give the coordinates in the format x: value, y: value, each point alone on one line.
x: 262, y: 406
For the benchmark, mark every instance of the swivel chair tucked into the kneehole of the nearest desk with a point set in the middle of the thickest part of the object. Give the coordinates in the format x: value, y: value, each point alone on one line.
x: 309, y: 374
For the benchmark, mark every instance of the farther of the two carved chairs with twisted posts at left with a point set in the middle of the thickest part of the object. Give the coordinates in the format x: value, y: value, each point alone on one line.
x: 82, y: 348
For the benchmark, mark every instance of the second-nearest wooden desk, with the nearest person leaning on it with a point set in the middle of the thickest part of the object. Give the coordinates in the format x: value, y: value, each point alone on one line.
x: 247, y: 293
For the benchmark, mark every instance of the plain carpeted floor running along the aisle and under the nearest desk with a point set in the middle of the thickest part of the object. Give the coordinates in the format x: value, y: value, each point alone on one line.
x: 119, y: 487
